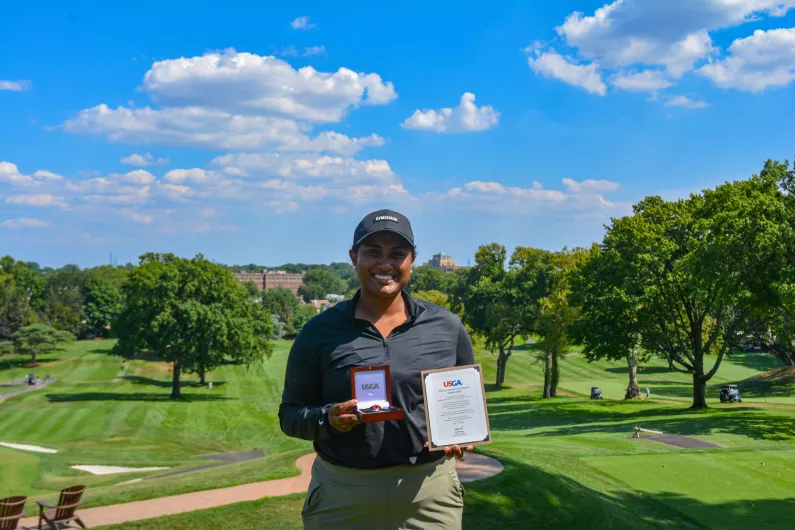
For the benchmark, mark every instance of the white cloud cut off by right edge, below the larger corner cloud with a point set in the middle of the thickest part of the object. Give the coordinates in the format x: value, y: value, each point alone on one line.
x: 763, y: 60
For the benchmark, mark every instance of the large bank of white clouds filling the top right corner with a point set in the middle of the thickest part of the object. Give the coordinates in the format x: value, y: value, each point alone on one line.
x: 659, y: 41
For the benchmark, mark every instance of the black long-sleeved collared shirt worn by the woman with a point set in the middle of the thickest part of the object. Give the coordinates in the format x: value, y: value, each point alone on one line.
x: 318, y: 376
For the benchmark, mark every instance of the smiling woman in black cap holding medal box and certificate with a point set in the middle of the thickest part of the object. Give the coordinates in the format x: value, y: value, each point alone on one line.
x: 376, y: 474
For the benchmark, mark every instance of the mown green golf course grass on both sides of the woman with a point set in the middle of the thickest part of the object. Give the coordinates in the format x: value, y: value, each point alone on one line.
x: 569, y: 462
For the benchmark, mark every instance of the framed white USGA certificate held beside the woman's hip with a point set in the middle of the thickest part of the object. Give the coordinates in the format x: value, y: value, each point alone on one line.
x: 455, y: 407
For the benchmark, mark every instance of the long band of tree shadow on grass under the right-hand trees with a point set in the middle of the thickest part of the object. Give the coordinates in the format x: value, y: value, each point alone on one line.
x: 577, y: 418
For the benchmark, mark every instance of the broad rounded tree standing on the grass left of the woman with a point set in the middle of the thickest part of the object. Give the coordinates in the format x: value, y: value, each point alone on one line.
x: 191, y: 313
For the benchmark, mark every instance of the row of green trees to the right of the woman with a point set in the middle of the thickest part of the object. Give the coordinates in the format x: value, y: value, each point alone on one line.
x: 683, y: 280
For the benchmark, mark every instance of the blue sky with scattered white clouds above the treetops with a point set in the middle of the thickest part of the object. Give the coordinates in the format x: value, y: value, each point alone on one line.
x: 254, y: 132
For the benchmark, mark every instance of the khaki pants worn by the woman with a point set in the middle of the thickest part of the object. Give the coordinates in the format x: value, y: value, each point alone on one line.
x: 426, y: 496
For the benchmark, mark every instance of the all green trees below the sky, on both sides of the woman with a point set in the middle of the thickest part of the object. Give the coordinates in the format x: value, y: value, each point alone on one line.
x: 683, y: 280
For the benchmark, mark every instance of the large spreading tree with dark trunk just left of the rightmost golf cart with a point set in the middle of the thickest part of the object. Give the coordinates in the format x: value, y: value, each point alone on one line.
x: 684, y: 267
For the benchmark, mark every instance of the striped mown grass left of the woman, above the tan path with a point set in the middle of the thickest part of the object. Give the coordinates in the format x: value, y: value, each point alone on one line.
x: 100, y: 412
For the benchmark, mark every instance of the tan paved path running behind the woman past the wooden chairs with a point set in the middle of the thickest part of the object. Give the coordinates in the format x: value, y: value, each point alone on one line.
x: 472, y: 467
